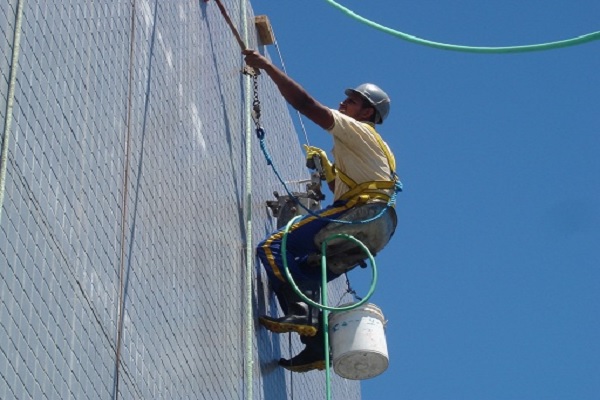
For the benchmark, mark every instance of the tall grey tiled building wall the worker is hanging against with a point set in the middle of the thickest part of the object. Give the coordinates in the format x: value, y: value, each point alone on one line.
x: 126, y: 187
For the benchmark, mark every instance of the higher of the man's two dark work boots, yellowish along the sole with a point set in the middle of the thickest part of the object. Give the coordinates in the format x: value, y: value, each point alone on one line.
x: 300, y: 317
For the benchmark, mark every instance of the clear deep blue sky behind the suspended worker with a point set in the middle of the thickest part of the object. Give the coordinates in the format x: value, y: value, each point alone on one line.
x: 491, y: 285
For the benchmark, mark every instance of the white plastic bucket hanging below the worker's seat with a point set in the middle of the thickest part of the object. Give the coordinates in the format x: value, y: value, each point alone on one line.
x: 358, y: 342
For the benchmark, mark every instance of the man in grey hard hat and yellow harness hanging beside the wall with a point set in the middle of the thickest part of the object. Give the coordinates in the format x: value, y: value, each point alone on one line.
x: 363, y: 175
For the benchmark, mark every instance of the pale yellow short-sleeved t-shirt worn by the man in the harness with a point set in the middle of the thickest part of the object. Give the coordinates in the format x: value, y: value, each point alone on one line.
x: 357, y: 153
